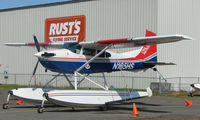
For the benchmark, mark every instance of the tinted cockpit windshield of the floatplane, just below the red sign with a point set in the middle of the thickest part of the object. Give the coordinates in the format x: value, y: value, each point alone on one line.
x: 74, y: 47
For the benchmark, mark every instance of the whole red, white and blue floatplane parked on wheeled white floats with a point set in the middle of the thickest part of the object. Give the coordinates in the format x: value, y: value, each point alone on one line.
x: 84, y: 58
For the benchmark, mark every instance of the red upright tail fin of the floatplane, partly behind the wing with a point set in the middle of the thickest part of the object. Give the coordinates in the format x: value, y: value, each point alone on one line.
x: 148, y: 51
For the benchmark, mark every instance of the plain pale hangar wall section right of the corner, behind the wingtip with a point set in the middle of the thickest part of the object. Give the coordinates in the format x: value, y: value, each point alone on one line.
x: 180, y: 17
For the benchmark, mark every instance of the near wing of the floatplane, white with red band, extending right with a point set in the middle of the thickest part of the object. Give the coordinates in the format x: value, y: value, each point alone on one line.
x: 134, y: 42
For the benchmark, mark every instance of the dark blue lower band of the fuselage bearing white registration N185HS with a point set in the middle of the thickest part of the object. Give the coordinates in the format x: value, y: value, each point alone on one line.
x: 94, y: 67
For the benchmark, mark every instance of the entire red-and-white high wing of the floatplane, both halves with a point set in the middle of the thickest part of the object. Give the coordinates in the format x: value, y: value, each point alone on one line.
x: 116, y: 43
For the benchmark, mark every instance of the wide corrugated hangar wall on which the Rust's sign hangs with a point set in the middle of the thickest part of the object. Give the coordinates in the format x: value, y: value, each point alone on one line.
x: 105, y: 19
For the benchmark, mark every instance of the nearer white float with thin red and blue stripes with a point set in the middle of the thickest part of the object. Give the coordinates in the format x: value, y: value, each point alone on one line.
x: 92, y: 98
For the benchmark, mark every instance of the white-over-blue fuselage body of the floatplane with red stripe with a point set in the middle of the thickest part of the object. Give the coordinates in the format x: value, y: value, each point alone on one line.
x: 65, y: 61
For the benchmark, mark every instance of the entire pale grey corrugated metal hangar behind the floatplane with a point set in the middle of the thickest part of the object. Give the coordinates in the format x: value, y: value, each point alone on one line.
x: 106, y: 19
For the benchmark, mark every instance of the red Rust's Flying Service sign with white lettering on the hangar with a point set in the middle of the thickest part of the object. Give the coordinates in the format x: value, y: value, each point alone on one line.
x: 65, y: 29
